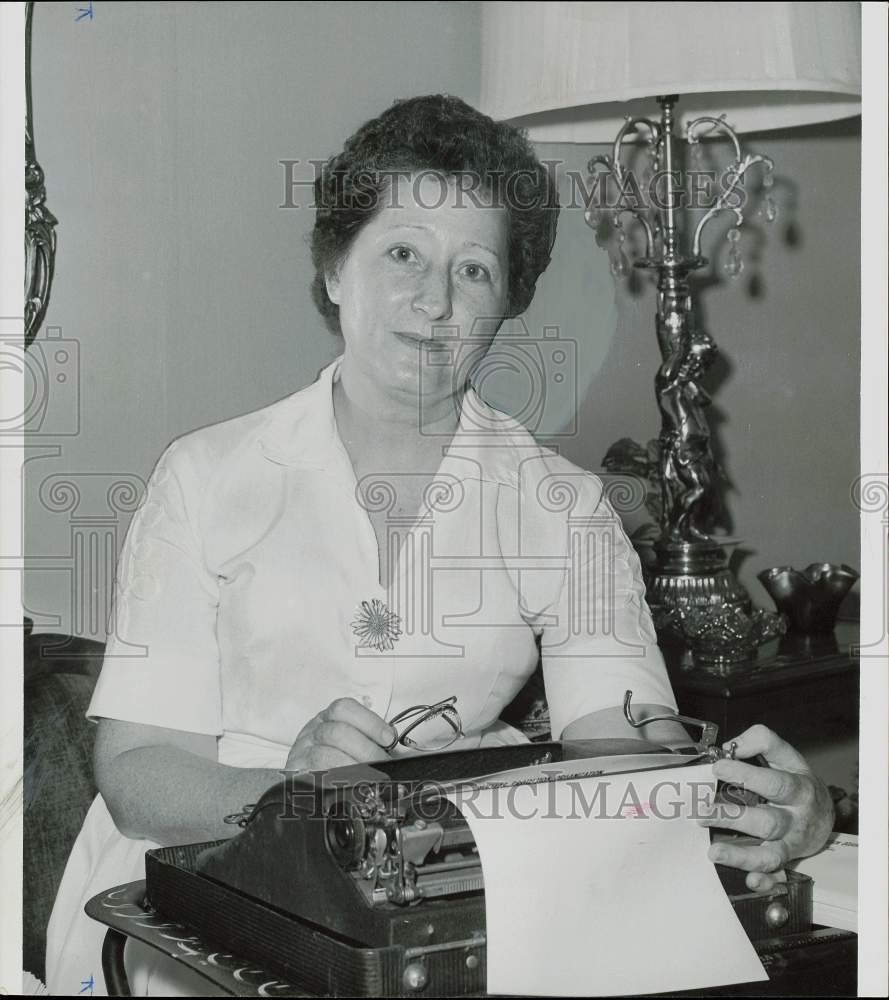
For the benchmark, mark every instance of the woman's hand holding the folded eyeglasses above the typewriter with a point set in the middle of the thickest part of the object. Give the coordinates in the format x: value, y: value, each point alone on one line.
x: 343, y: 733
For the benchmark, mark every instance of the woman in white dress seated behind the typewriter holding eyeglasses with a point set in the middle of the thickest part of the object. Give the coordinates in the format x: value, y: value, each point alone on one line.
x: 277, y: 600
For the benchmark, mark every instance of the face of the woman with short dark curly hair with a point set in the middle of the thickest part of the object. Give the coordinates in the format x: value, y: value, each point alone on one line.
x: 431, y: 264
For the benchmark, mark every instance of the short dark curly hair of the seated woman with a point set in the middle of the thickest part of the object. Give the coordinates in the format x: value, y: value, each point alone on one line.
x: 445, y: 135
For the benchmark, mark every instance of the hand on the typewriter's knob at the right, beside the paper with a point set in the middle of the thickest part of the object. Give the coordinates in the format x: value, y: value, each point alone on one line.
x: 795, y: 820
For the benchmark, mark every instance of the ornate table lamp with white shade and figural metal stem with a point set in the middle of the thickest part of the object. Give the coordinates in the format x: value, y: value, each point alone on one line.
x: 594, y: 73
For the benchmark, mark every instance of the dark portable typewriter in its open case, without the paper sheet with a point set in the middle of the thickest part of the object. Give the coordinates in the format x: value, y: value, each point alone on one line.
x: 366, y: 881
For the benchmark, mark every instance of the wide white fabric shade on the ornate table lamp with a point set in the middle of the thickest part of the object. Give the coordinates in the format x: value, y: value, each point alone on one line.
x: 570, y: 72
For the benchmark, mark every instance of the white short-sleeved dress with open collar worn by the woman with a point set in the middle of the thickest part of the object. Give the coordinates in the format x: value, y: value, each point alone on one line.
x: 245, y: 598
